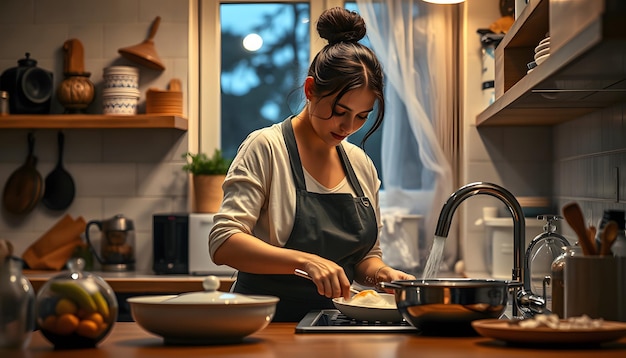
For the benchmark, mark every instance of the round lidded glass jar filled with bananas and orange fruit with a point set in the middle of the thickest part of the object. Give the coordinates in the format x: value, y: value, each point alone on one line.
x: 76, y: 309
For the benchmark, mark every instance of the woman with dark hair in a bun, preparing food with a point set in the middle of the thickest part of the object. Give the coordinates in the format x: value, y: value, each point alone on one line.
x: 299, y: 196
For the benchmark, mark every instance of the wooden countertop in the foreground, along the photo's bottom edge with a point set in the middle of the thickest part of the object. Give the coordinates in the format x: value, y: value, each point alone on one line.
x: 127, y: 339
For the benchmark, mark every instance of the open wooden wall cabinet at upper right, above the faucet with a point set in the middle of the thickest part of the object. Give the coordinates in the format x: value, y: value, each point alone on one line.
x: 586, y: 69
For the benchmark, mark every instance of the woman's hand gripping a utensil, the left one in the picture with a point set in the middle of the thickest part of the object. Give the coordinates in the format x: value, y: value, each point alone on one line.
x: 330, y: 278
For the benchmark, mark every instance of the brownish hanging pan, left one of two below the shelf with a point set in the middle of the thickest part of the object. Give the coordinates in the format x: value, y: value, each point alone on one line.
x: 22, y: 190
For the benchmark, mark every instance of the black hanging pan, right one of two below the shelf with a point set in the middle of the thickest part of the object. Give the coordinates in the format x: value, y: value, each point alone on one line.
x: 59, y: 189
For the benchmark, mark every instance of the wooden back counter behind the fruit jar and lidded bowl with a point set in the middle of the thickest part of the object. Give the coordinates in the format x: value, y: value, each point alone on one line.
x: 137, y: 282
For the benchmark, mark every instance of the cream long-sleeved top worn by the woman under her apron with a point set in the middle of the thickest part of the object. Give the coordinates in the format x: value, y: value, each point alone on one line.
x: 260, y: 194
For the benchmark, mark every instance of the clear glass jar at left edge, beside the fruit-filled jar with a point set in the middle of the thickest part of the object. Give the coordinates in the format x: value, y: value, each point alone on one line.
x: 17, y: 305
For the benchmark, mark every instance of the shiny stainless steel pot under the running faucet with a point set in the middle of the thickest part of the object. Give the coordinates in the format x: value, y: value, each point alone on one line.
x: 447, y: 306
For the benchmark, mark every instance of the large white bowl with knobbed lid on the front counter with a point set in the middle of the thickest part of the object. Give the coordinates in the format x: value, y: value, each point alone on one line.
x: 200, y: 318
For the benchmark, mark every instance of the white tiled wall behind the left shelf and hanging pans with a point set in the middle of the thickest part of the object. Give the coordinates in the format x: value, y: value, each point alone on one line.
x: 135, y: 172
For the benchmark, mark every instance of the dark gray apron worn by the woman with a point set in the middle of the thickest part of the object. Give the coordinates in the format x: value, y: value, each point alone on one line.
x: 338, y: 227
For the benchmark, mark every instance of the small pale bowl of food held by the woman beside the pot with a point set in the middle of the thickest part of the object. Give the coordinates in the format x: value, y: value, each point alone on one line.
x: 387, y: 313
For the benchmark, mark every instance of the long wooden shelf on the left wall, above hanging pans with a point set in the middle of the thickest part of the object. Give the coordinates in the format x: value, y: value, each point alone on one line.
x: 92, y: 121
